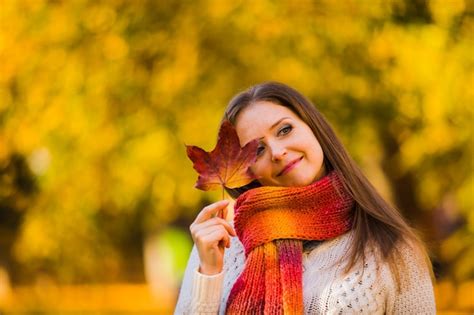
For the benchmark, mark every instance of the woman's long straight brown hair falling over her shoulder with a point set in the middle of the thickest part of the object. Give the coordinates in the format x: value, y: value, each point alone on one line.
x: 376, y: 222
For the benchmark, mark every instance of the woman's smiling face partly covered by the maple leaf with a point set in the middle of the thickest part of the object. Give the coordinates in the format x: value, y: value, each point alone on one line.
x: 288, y: 153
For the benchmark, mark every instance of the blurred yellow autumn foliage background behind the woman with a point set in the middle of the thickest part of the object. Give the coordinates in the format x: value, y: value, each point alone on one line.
x: 98, y: 99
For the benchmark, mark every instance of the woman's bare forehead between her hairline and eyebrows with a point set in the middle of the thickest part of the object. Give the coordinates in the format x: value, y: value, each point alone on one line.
x: 258, y: 119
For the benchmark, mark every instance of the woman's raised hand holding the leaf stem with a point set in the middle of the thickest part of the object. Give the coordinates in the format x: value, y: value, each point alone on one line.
x: 211, y: 234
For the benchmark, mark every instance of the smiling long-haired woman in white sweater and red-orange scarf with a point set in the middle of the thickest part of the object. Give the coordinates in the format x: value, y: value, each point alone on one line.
x: 314, y: 236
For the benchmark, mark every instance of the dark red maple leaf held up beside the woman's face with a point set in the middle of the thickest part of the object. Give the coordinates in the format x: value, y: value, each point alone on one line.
x: 227, y: 165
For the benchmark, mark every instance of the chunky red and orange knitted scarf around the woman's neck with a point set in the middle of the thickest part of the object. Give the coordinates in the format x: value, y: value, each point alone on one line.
x: 271, y: 223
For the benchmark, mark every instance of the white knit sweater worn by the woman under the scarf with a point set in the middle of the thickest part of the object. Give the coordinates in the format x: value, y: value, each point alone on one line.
x: 368, y: 289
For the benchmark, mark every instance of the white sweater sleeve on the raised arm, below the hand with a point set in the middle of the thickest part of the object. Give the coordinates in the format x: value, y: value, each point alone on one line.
x: 199, y: 294
